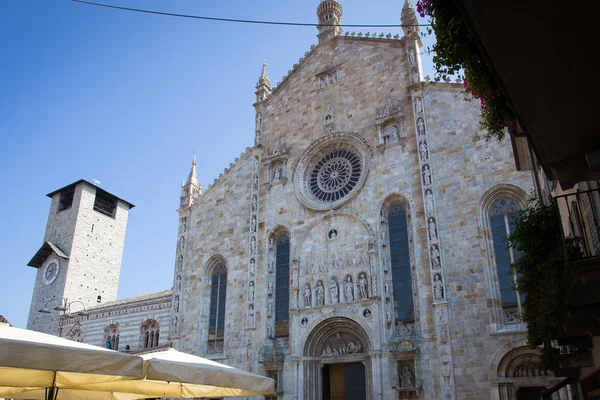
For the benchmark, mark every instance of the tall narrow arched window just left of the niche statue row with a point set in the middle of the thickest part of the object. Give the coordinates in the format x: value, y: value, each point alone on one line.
x: 282, y: 285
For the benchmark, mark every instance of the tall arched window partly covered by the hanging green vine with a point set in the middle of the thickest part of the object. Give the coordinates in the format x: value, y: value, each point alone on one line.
x: 501, y: 215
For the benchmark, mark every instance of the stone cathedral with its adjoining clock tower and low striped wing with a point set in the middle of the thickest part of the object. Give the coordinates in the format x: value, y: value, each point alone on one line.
x: 356, y: 251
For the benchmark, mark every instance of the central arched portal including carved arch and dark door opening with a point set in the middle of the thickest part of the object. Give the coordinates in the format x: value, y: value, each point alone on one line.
x: 337, y: 361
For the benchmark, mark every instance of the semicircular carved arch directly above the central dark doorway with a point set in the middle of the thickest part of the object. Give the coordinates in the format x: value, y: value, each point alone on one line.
x: 337, y: 336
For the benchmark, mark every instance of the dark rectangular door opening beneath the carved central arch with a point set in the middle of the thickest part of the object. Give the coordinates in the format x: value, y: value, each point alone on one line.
x: 344, y: 382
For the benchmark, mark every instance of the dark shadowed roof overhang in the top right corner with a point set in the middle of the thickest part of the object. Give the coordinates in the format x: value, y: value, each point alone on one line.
x: 541, y: 54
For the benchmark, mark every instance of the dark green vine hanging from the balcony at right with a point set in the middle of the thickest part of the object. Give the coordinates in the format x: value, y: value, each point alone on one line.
x: 540, y: 271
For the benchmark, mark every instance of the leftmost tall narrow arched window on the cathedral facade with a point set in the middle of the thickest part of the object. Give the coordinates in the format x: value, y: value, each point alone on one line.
x: 218, y: 296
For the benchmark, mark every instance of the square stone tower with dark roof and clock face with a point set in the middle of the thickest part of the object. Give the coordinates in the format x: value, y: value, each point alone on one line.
x: 79, y: 262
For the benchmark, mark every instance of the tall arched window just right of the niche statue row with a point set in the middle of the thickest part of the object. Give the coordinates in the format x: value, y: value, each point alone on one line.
x: 400, y: 263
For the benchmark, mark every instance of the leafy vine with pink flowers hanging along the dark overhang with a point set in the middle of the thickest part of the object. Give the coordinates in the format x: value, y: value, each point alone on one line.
x: 456, y: 50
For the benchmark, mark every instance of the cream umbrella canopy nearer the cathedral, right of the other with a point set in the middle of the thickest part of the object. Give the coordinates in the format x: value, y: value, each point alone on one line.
x: 171, y: 373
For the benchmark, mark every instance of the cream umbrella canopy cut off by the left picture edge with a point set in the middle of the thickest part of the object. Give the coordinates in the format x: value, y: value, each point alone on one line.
x: 31, y: 360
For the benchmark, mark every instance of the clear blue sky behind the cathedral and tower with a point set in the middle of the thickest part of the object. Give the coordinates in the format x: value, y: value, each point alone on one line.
x: 127, y: 97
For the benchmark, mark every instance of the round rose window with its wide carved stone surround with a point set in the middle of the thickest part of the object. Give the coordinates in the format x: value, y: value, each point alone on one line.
x: 332, y: 170
